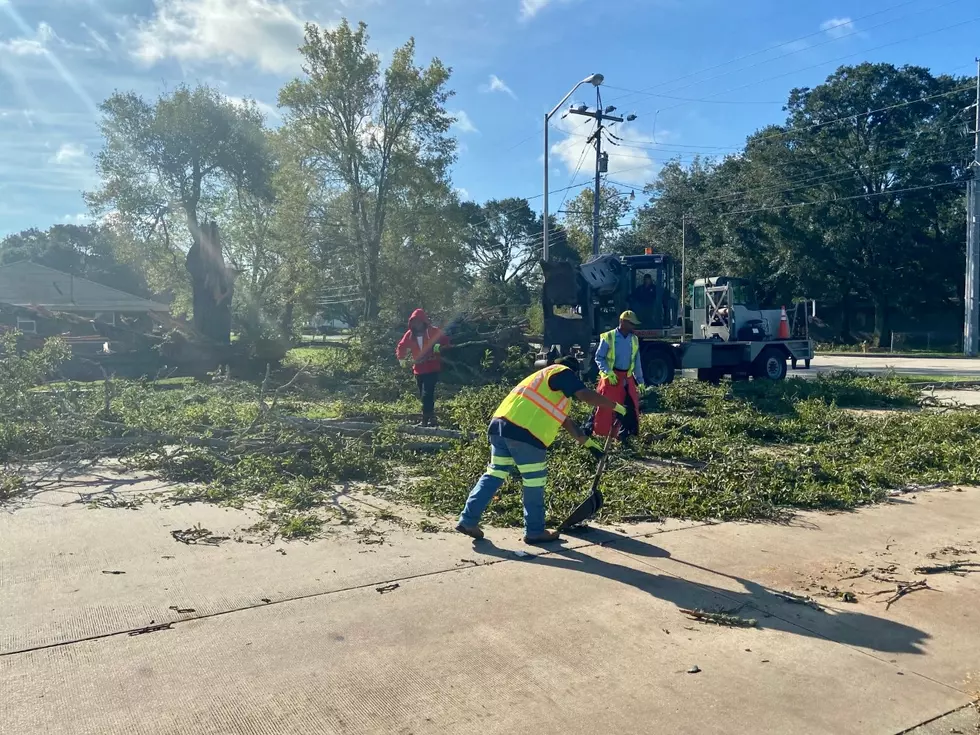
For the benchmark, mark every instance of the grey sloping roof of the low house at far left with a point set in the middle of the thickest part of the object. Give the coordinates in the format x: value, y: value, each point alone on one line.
x: 30, y: 284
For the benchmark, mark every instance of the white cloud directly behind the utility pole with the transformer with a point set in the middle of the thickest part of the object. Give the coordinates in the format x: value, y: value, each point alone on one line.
x: 630, y: 162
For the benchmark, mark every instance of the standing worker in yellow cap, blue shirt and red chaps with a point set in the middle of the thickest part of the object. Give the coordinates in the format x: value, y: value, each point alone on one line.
x: 620, y: 377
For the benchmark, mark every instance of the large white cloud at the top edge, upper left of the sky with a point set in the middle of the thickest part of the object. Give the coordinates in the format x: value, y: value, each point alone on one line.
x: 266, y: 33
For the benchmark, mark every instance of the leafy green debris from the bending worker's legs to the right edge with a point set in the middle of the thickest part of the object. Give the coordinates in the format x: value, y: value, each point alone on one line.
x: 756, y: 452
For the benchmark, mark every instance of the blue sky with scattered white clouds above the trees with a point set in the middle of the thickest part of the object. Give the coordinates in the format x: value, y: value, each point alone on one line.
x: 700, y: 75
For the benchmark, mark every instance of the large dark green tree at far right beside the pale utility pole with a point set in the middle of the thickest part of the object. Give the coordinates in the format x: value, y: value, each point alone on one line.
x: 878, y: 130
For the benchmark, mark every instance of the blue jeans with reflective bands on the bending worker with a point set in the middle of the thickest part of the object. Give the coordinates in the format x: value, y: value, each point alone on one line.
x: 507, y: 455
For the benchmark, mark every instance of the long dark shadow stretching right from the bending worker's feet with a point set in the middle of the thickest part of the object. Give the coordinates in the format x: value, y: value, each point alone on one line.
x: 771, y: 611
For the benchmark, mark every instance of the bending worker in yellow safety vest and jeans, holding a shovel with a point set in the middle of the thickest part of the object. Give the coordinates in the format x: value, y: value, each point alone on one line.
x: 525, y: 424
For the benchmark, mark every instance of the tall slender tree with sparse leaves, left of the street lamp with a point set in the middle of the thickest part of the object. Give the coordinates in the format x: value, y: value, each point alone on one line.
x: 368, y: 133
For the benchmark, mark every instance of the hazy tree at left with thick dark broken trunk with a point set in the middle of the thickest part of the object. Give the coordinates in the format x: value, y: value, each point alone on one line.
x: 165, y: 167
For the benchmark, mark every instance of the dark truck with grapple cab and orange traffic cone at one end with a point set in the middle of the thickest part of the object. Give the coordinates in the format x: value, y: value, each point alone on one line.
x: 723, y: 332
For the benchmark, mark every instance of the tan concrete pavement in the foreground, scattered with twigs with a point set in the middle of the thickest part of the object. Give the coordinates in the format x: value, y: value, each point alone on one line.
x: 396, y: 631
